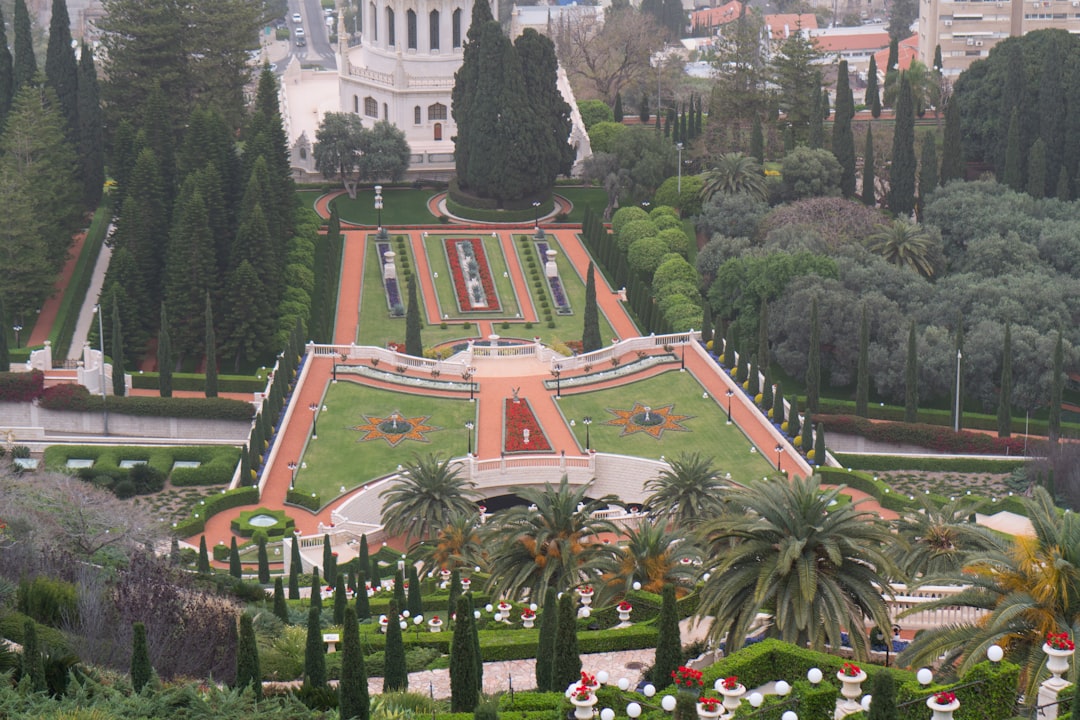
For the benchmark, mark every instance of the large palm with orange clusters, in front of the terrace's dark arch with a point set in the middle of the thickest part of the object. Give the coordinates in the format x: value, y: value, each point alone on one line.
x: 553, y: 544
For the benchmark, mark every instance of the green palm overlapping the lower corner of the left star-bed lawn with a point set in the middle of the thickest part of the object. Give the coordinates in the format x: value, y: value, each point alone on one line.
x: 429, y: 496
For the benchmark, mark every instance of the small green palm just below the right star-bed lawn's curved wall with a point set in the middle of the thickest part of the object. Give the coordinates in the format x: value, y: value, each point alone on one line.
x: 688, y: 492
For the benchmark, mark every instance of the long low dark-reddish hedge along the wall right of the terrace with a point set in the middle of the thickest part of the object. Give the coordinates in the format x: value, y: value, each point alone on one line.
x: 935, y: 438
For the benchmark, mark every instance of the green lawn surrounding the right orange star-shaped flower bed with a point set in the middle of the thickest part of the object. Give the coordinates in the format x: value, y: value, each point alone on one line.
x: 709, y: 433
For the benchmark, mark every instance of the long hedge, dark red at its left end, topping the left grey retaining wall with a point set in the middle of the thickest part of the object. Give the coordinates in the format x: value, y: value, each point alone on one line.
x: 78, y: 399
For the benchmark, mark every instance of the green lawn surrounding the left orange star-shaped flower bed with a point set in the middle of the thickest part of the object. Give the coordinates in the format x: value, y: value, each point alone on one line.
x: 339, y: 458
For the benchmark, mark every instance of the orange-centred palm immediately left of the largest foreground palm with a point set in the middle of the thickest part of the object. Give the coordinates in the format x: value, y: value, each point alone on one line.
x: 654, y: 556
